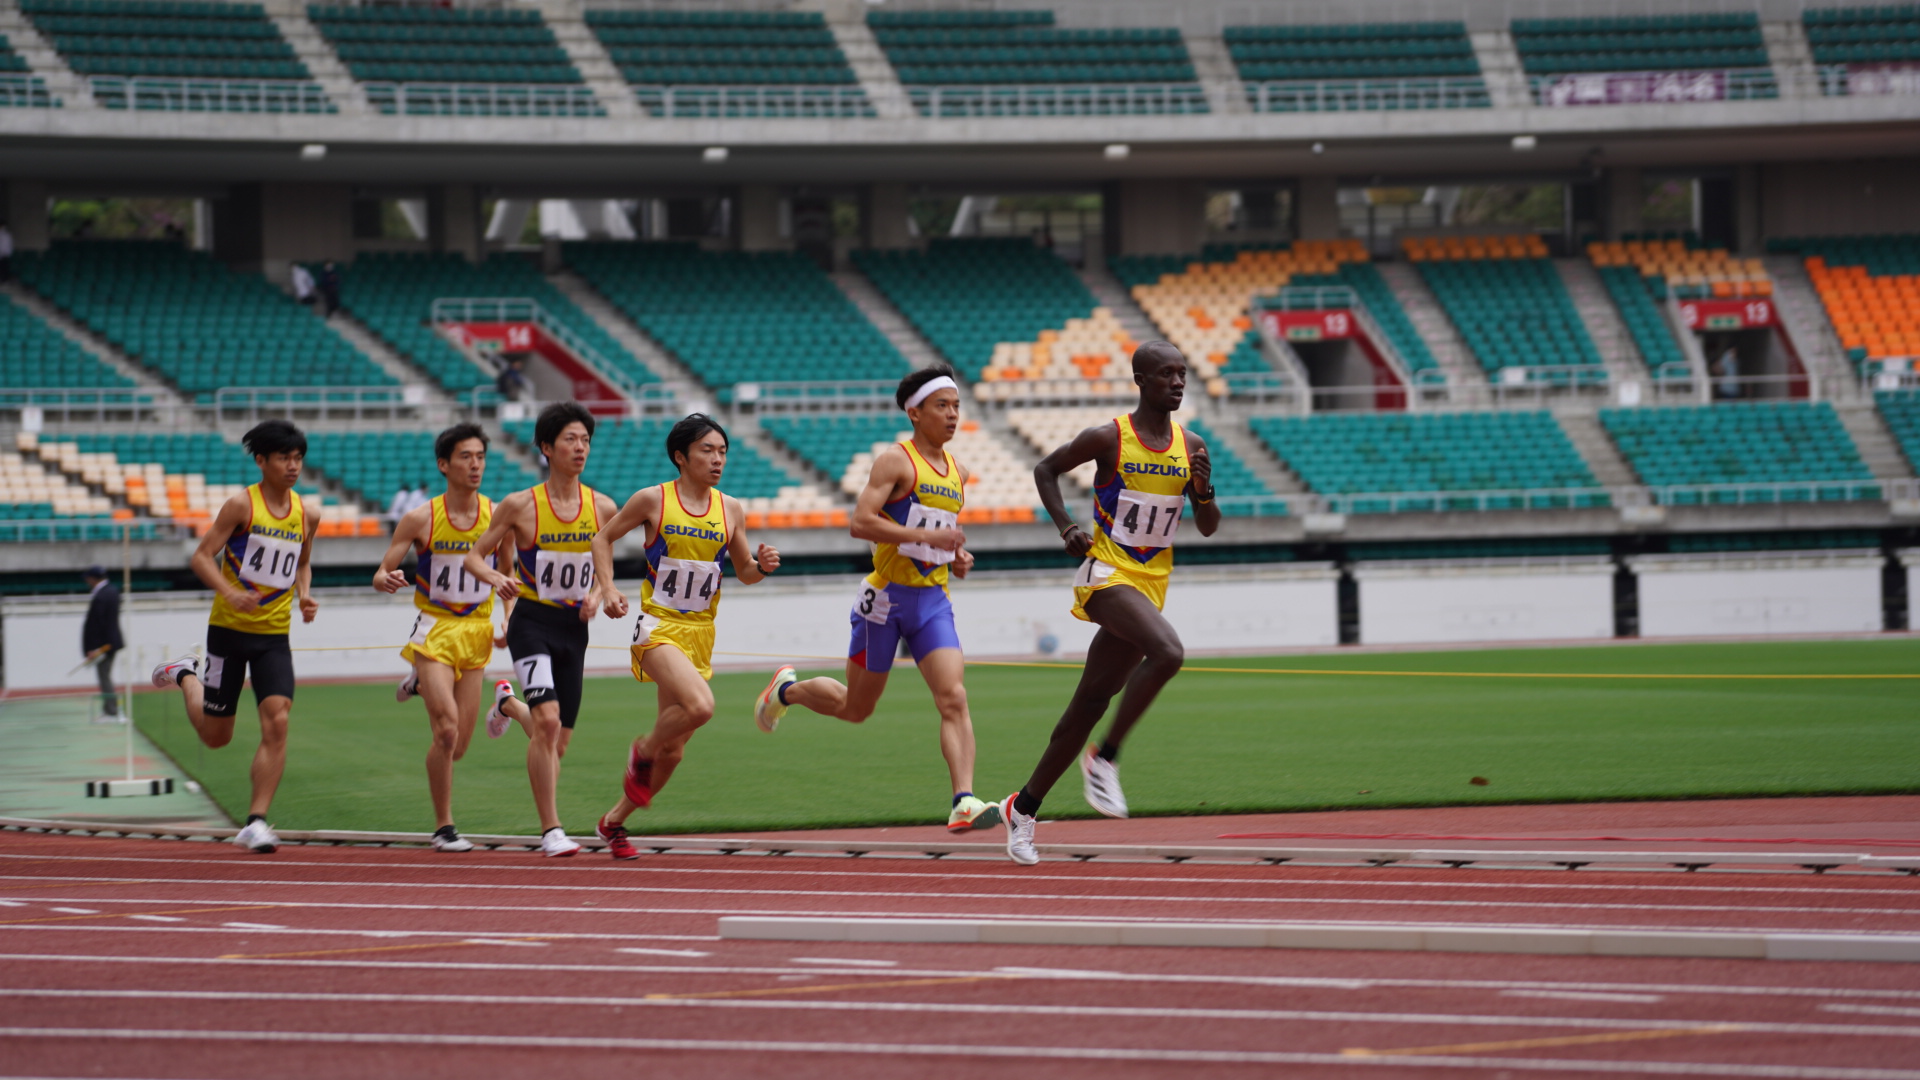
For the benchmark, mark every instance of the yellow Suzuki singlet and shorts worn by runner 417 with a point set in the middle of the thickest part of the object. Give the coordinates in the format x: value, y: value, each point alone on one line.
x: 1136, y: 514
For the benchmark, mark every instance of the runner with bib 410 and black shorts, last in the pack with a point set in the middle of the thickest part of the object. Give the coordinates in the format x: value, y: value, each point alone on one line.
x: 256, y: 558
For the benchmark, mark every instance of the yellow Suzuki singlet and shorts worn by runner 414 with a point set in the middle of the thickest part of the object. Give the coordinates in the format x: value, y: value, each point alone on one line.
x: 683, y: 589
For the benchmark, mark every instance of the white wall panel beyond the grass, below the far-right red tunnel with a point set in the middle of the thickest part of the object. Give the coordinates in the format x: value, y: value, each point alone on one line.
x: 1758, y: 595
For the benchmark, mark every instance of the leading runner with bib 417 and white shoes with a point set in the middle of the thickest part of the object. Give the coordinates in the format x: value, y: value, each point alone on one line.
x: 1145, y: 472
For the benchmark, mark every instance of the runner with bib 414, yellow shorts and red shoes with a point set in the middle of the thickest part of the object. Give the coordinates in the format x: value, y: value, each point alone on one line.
x: 692, y: 533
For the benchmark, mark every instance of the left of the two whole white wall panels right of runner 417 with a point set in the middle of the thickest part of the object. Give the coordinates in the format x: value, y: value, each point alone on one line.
x: 1487, y: 601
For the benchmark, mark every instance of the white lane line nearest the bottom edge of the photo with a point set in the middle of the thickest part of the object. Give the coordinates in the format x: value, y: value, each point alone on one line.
x: 976, y: 1050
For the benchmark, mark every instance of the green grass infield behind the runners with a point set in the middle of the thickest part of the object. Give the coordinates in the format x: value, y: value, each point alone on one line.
x: 1216, y: 743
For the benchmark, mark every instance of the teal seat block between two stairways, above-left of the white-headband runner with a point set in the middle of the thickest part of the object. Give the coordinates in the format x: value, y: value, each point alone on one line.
x: 740, y: 316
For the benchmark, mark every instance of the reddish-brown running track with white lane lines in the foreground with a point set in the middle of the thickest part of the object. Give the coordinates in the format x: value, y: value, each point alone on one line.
x: 128, y: 958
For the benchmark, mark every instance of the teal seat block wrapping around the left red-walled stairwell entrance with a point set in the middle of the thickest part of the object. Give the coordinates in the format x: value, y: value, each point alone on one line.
x: 395, y: 295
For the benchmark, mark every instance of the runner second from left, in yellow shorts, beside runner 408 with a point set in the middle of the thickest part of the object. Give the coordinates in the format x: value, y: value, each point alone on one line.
x: 454, y: 633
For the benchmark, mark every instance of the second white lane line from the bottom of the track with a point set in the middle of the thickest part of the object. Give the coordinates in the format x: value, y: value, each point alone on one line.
x: 986, y: 1010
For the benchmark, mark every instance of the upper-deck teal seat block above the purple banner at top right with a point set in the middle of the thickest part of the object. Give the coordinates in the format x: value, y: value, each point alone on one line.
x: 1644, y: 43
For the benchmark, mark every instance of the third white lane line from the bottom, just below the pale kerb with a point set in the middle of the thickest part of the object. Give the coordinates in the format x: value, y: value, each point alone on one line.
x: 1272, y: 981
